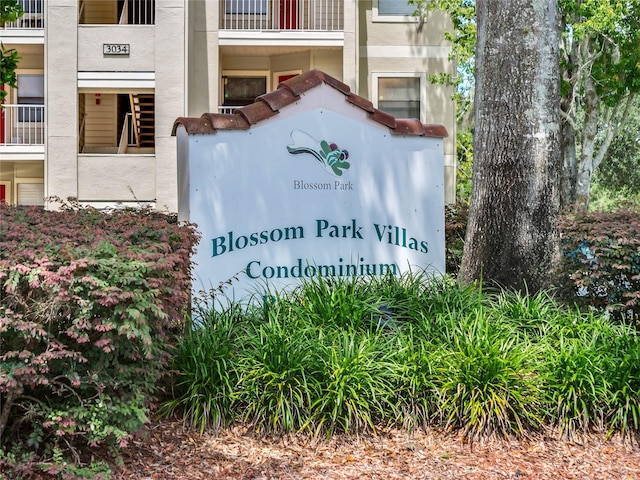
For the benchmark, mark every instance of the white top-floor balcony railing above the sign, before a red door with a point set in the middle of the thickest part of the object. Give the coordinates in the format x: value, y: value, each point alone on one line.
x: 277, y: 15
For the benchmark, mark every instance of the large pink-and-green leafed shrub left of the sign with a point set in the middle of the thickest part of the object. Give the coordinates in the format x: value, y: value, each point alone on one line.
x: 91, y: 304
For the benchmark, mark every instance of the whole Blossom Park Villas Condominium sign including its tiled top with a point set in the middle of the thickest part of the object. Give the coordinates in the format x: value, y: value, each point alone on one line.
x: 310, y: 181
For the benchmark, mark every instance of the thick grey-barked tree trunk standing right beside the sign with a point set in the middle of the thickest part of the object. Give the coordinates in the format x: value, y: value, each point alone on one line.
x: 512, y: 238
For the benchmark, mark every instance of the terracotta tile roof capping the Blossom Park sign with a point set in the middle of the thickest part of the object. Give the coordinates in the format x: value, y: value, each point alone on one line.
x: 288, y: 92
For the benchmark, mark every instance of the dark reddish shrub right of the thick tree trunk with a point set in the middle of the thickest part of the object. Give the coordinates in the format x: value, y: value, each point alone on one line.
x: 601, y: 261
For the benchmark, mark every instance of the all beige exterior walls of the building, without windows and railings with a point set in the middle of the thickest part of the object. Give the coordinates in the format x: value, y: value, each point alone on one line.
x: 181, y: 59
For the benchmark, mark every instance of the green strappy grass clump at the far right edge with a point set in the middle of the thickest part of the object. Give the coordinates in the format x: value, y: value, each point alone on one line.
x: 593, y: 380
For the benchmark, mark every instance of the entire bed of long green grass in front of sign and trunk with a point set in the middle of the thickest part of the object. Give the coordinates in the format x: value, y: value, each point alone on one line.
x: 437, y: 356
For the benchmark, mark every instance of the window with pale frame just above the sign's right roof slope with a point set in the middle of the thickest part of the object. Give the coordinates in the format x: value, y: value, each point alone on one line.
x: 399, y: 96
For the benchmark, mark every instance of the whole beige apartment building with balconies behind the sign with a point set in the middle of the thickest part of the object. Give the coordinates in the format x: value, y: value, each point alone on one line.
x: 101, y: 82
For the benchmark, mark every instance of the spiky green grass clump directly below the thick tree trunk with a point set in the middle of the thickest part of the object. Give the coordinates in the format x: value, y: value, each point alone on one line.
x: 488, y: 383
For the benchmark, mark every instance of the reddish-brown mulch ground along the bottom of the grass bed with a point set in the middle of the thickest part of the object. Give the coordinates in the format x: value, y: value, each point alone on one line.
x: 171, y: 451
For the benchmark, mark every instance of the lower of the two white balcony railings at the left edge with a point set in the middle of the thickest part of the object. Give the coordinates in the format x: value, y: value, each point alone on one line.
x: 22, y: 125
